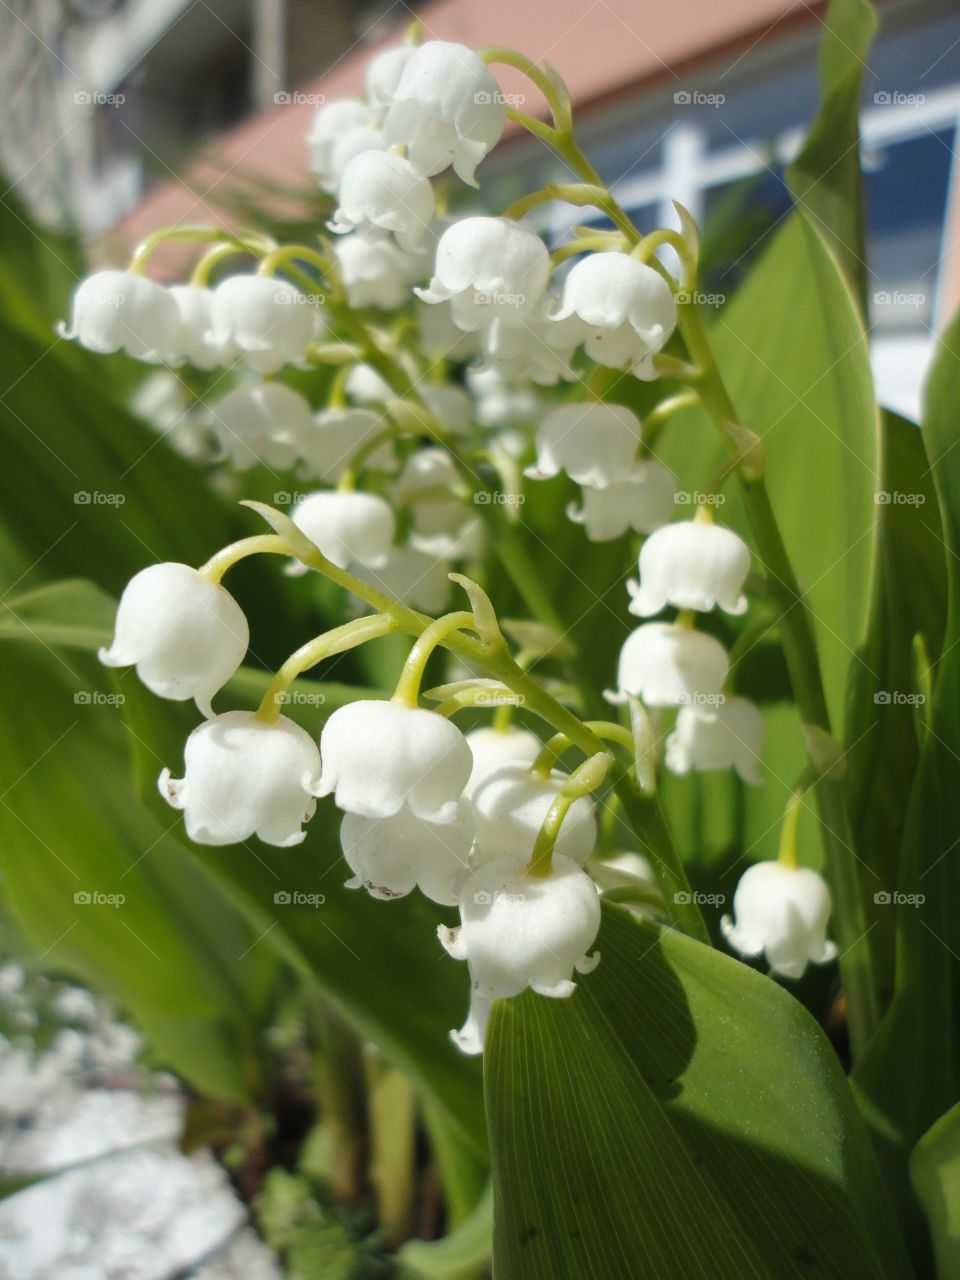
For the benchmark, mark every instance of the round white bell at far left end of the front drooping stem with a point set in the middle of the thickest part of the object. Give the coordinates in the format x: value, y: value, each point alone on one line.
x: 185, y: 634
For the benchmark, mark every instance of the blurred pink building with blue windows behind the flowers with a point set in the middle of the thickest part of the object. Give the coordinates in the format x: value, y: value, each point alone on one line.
x: 135, y: 113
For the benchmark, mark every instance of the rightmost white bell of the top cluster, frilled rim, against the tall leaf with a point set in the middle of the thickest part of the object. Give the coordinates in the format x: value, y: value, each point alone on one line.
x: 625, y: 312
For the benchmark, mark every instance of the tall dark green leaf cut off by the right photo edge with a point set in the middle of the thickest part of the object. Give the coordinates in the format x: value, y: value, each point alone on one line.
x: 911, y: 1075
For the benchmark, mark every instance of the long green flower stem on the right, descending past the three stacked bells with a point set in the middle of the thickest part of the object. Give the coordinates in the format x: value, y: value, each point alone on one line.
x: 803, y: 662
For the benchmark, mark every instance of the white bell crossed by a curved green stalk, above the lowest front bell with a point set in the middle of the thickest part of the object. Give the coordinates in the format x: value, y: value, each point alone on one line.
x: 510, y: 806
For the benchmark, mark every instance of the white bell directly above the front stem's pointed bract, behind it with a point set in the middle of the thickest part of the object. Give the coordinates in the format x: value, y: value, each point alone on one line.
x: 349, y: 528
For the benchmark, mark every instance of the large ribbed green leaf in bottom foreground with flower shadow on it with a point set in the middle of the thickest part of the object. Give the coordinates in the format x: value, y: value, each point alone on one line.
x: 680, y: 1117
